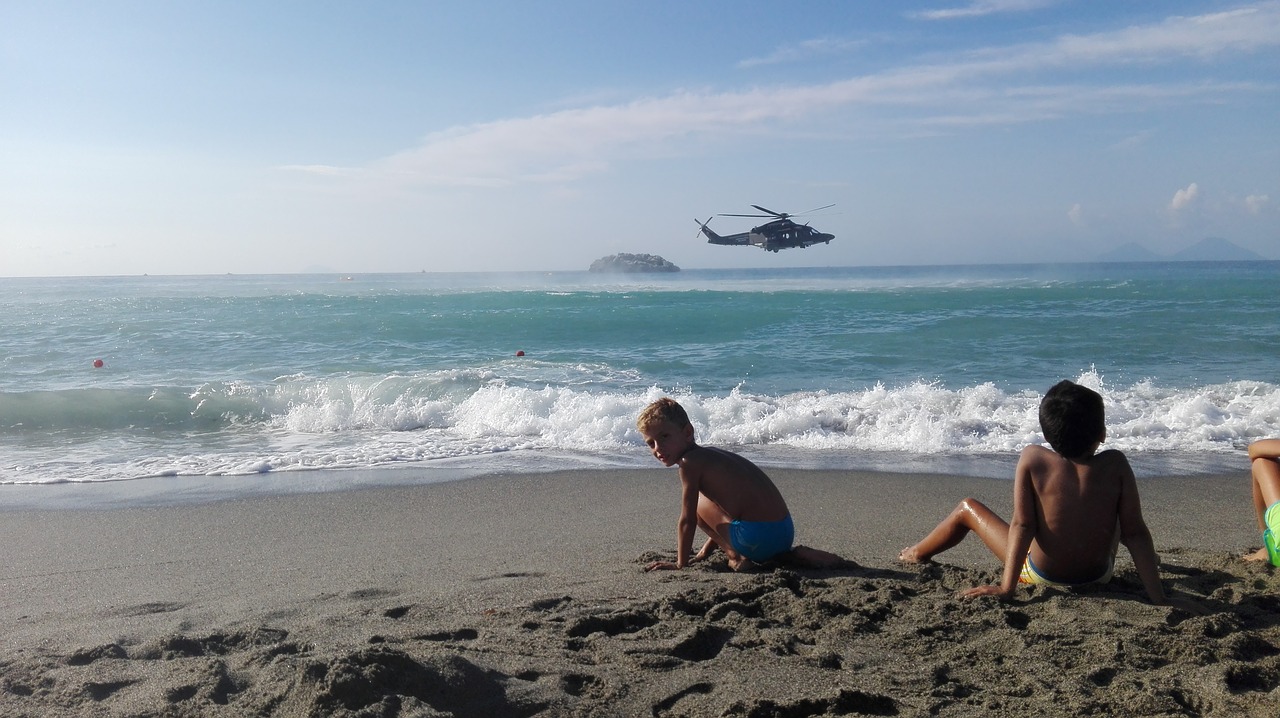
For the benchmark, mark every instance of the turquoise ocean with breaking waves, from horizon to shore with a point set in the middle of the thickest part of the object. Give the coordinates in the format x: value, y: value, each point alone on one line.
x: 312, y: 379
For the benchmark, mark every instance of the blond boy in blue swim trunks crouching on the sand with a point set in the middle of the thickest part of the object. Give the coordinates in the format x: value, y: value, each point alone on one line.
x: 730, y: 499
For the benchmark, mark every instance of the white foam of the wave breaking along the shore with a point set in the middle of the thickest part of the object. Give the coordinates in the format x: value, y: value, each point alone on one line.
x: 399, y: 420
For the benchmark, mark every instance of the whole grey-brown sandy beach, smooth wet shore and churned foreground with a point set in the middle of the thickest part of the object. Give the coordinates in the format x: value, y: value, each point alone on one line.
x: 525, y: 596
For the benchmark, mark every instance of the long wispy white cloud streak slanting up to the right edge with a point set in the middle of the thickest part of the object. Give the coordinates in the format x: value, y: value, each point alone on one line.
x: 967, y: 90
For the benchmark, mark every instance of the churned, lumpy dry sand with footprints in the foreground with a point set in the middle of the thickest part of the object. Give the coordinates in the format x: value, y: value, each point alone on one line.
x: 871, y: 642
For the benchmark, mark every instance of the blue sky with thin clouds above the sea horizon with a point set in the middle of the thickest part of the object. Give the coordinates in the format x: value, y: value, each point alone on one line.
x: 159, y: 138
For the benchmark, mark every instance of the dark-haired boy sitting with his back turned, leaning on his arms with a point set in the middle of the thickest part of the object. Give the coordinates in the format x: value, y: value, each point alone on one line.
x: 1068, y: 506
